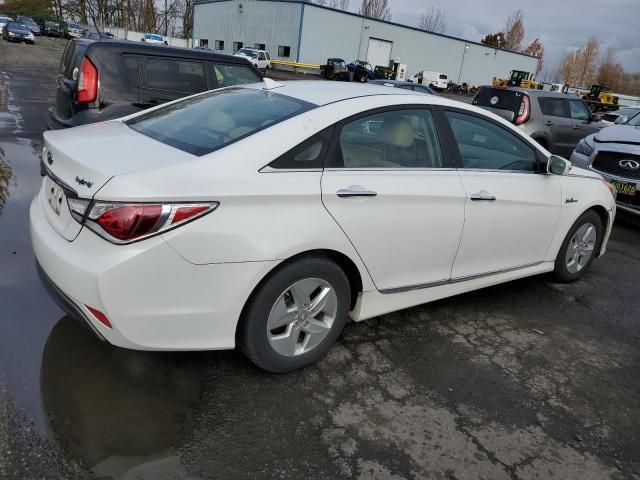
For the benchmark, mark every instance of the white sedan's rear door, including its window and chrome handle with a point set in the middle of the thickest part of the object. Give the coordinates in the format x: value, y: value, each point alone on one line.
x: 389, y: 187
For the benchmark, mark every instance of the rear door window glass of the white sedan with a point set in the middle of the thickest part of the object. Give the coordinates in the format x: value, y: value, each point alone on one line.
x: 394, y: 139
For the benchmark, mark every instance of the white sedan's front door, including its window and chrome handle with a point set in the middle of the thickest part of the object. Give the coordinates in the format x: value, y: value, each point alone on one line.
x: 511, y: 211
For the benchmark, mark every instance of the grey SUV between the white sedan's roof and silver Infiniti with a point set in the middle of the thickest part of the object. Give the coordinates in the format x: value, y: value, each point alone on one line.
x: 557, y: 121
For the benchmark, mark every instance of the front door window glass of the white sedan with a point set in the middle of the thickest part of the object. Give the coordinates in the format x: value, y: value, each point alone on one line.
x: 486, y: 146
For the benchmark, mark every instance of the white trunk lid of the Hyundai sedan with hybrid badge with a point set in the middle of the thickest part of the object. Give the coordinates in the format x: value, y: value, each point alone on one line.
x: 80, y: 161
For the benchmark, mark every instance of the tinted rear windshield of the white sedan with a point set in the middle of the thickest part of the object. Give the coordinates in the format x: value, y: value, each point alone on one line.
x: 213, y: 120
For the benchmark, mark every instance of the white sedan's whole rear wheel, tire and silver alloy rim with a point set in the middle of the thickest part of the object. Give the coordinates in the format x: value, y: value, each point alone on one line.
x: 296, y: 315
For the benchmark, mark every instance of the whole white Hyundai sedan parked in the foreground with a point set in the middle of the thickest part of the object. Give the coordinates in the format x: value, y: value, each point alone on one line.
x: 264, y: 216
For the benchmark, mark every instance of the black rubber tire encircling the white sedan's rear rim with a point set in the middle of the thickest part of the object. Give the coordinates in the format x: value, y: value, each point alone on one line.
x: 252, y: 335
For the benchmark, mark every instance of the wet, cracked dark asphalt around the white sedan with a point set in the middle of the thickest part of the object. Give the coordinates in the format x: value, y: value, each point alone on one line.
x: 526, y: 380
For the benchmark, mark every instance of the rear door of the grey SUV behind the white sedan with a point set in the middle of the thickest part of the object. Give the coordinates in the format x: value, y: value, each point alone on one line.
x: 557, y: 125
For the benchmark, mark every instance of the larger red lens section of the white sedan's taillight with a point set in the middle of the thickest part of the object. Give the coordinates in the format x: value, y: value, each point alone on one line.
x: 130, y: 221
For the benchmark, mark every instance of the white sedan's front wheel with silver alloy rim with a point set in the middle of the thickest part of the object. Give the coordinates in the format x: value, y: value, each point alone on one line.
x: 579, y: 248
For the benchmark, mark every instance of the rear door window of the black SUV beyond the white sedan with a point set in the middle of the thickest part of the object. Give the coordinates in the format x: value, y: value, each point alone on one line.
x: 175, y: 75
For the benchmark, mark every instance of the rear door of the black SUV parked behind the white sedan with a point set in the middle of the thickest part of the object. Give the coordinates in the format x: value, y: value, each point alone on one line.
x: 165, y: 79
